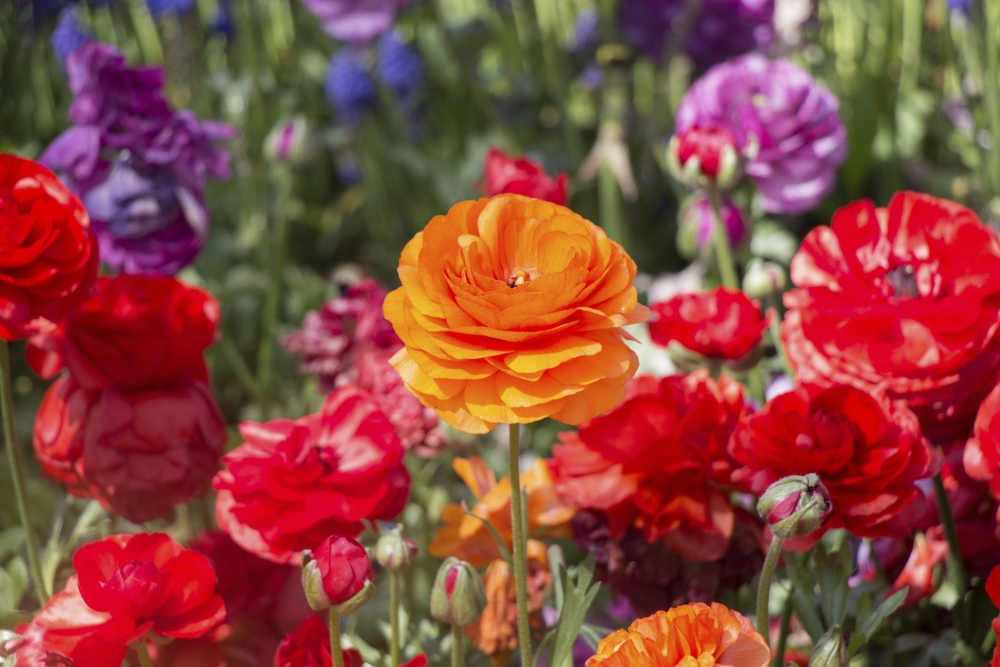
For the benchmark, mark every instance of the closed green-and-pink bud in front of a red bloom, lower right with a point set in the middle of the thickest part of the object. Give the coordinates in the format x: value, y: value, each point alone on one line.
x: 795, y: 506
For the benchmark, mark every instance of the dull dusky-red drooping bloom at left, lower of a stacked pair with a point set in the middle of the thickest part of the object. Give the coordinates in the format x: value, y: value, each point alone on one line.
x: 139, y: 453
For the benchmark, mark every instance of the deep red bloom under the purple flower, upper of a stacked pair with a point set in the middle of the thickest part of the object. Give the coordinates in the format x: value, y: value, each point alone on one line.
x: 136, y: 332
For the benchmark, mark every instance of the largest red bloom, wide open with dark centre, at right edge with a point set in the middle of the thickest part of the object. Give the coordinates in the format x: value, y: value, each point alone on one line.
x: 906, y: 298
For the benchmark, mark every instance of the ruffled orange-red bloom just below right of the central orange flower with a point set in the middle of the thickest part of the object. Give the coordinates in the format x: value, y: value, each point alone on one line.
x: 659, y: 462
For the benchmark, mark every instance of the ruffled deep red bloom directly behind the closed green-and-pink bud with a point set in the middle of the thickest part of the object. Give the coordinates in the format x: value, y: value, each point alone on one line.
x: 867, y: 452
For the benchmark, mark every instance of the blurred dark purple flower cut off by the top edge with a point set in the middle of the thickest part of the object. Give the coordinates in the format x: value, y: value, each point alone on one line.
x: 723, y: 28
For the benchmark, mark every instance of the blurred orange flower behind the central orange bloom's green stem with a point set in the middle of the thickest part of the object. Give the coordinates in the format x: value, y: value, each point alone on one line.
x: 467, y: 537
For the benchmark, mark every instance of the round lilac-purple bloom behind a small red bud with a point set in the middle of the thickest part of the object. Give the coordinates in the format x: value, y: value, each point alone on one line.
x: 785, y: 125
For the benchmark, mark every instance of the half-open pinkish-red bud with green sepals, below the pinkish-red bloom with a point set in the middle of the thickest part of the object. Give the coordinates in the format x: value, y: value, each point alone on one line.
x: 338, y: 575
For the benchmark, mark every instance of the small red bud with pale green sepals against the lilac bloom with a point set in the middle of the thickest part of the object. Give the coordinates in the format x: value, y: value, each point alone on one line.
x: 704, y: 154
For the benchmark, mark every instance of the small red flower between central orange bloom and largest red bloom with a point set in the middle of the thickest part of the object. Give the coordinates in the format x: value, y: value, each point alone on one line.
x: 724, y: 323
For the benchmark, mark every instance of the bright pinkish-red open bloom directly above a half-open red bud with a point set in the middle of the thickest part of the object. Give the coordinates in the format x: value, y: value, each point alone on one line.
x: 293, y: 483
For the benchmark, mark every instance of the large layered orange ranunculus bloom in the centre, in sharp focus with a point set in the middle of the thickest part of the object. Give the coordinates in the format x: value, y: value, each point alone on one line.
x: 511, y: 311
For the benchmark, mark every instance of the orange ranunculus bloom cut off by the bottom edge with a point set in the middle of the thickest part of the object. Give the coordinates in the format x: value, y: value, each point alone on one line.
x: 694, y: 635
